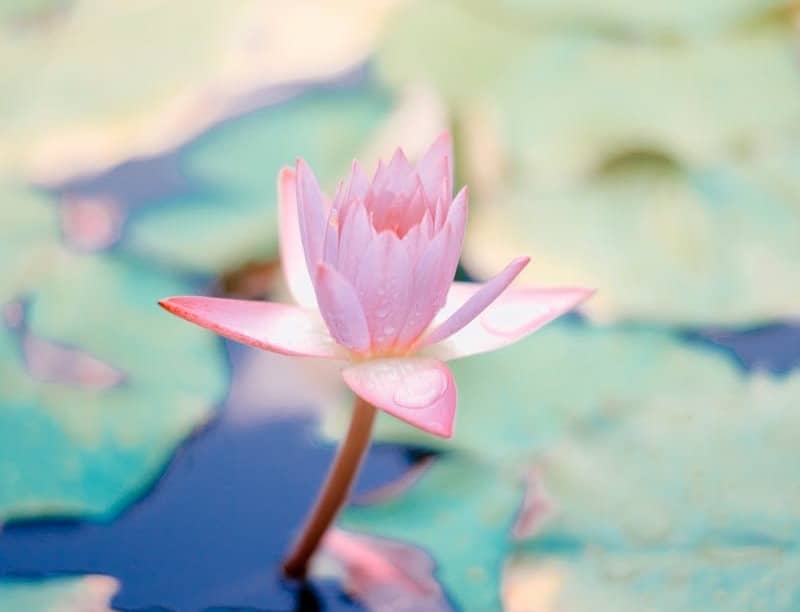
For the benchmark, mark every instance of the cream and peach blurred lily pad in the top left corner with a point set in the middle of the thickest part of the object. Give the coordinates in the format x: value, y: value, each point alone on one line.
x: 200, y: 62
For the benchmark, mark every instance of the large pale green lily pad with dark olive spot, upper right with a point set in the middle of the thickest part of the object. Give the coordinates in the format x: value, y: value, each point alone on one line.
x: 649, y: 168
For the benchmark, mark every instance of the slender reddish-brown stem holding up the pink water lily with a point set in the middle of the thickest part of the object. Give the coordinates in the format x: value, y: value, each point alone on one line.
x: 334, y: 491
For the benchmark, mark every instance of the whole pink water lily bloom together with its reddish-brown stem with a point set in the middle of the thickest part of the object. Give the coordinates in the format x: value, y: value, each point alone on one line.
x: 372, y: 273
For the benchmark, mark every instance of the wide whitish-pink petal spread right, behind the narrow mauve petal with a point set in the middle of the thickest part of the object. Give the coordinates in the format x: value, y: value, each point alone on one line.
x: 512, y: 316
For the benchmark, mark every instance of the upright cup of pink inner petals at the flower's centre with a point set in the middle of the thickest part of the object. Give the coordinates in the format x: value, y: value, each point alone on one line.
x: 393, y: 240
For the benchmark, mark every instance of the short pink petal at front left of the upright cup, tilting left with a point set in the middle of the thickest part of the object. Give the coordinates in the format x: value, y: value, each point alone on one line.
x: 341, y: 309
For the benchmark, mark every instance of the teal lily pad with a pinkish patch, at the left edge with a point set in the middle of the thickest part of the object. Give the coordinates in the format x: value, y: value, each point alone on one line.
x: 86, y: 436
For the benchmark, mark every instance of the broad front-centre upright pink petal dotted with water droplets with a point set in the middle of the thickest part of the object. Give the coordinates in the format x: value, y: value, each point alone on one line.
x: 384, y: 284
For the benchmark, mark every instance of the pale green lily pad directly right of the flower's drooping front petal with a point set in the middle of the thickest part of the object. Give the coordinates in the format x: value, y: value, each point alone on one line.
x: 517, y: 401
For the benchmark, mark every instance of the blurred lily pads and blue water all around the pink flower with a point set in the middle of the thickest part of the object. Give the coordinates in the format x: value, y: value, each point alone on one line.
x: 643, y: 454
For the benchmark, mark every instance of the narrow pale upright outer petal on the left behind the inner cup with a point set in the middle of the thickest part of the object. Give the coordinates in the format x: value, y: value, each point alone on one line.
x: 292, y: 255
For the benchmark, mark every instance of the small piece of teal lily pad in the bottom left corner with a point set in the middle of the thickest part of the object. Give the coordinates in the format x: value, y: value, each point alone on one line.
x: 58, y: 594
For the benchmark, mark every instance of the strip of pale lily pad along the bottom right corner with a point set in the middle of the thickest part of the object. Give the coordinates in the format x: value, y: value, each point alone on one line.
x: 696, y: 581
